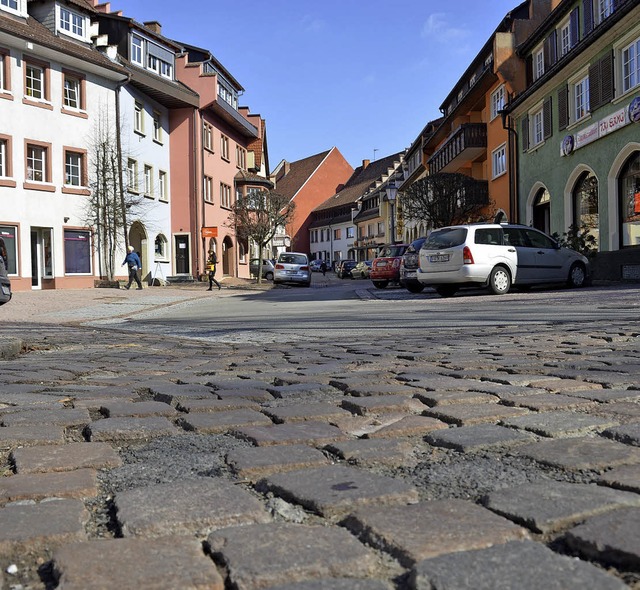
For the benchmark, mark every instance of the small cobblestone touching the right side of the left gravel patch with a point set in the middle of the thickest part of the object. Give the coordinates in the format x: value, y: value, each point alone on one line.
x: 257, y: 462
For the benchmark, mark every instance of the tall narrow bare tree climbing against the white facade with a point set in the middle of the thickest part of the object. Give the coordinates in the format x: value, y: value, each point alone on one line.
x: 107, y: 207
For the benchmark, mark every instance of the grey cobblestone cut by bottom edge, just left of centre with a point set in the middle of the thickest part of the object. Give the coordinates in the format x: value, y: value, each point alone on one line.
x: 261, y: 556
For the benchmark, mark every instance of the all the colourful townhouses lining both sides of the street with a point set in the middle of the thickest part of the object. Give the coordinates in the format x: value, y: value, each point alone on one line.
x: 545, y: 118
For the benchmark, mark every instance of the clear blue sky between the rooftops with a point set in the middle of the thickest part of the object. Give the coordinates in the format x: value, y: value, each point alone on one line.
x: 364, y: 76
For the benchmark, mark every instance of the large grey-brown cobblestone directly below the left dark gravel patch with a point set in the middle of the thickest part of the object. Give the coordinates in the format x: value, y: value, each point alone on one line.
x: 186, y: 507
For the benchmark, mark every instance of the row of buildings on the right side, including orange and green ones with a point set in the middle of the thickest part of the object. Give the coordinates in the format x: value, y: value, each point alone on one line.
x: 546, y: 117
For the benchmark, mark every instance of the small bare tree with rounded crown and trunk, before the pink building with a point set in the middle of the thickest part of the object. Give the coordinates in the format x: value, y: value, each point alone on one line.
x: 257, y: 217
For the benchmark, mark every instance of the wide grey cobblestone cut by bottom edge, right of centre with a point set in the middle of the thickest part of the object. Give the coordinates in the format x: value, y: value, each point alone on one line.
x: 524, y: 565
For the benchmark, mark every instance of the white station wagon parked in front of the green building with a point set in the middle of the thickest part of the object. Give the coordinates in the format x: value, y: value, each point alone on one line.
x: 497, y: 257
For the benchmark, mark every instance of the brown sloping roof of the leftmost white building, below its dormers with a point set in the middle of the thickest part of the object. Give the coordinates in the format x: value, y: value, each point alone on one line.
x: 30, y: 29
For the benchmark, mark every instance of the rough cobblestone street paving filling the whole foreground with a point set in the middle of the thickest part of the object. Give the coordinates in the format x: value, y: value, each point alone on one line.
x: 490, y: 460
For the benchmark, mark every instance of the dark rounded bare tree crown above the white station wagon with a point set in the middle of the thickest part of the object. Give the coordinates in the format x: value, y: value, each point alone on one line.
x: 447, y: 199
